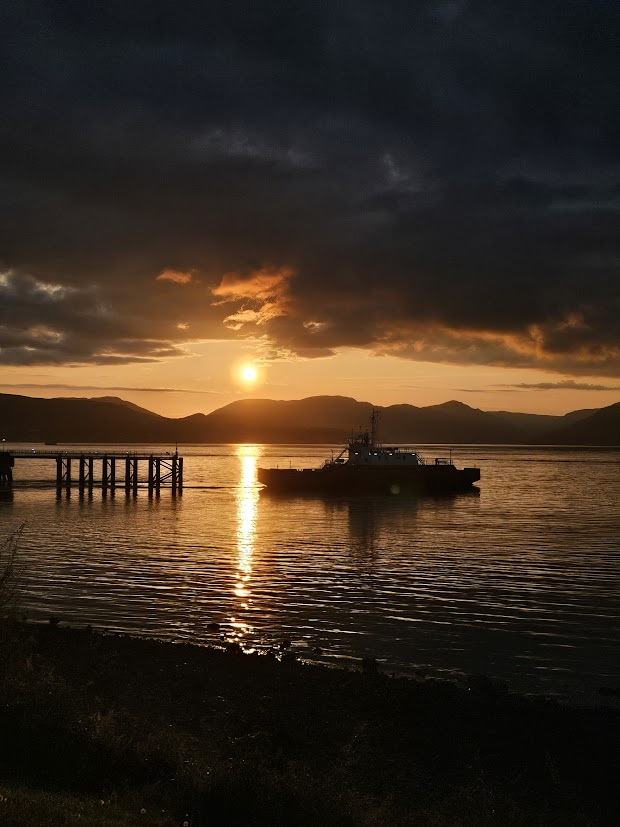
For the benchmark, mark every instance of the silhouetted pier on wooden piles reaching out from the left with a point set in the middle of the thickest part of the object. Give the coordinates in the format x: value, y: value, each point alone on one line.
x: 86, y: 470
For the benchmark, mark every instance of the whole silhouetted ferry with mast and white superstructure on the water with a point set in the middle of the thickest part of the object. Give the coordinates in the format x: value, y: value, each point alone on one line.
x: 364, y: 466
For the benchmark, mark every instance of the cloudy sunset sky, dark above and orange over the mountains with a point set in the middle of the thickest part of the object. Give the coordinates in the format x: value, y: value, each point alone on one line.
x: 396, y: 201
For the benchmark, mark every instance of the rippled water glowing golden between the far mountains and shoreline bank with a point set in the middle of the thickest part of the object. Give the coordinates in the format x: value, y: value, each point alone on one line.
x: 517, y: 582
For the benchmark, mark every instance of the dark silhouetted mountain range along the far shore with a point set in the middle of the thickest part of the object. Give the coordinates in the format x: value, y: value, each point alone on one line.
x: 317, y: 419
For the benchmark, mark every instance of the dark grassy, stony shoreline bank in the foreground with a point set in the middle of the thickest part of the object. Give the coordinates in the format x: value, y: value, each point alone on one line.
x: 107, y: 730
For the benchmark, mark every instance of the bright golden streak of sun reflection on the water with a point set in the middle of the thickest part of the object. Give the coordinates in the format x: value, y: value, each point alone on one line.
x: 247, y: 505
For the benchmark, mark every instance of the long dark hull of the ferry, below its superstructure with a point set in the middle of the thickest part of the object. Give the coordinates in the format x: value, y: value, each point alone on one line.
x: 345, y: 480
